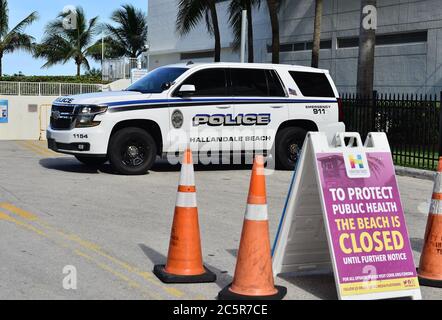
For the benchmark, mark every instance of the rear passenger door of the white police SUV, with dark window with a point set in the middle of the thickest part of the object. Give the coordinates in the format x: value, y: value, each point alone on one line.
x: 259, y: 96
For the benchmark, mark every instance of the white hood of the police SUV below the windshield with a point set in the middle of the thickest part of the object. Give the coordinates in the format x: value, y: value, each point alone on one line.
x: 102, y: 98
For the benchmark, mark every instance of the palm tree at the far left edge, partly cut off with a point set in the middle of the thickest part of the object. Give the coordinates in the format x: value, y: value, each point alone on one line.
x: 14, y: 39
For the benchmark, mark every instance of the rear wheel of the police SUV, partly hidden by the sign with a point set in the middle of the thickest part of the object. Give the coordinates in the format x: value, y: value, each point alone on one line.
x: 289, y: 142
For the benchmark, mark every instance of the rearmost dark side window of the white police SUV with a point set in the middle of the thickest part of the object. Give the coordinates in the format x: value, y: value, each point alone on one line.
x: 313, y: 84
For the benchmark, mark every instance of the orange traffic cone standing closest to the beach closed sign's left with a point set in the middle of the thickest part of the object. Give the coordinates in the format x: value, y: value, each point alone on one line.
x: 253, y: 274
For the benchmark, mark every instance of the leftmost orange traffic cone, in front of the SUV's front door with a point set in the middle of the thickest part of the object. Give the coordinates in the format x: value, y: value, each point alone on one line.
x: 184, y: 261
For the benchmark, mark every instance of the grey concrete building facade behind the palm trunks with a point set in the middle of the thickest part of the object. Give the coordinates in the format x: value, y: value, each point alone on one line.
x: 404, y: 68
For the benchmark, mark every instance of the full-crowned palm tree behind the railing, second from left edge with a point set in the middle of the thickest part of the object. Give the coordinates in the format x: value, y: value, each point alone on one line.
x: 61, y: 44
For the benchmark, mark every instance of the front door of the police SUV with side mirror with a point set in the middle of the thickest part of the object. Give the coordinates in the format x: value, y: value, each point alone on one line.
x: 204, y: 111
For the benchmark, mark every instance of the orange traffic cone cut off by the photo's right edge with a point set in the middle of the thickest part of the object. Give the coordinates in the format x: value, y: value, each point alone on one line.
x: 430, y: 266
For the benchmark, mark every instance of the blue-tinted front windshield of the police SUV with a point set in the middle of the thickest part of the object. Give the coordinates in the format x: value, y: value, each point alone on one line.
x: 157, y: 80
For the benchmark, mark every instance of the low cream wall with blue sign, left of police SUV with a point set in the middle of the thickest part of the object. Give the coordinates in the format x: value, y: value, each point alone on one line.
x: 24, y: 124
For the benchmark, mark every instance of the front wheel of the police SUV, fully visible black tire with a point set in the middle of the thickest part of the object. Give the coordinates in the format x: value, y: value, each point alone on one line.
x: 132, y: 151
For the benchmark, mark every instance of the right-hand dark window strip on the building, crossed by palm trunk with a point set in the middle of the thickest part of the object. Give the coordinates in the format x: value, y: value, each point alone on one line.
x: 387, y: 39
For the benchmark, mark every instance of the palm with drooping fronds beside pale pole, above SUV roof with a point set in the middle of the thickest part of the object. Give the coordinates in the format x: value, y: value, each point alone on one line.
x: 235, y: 18
